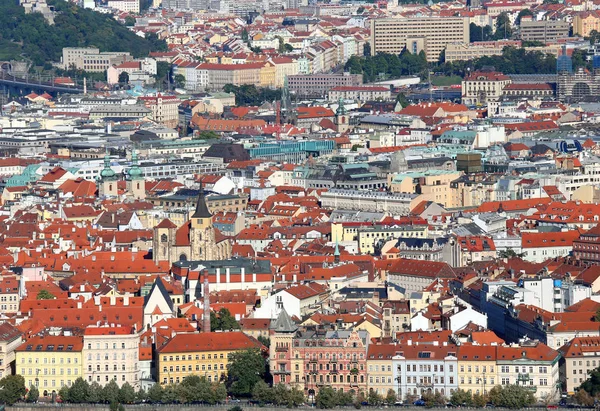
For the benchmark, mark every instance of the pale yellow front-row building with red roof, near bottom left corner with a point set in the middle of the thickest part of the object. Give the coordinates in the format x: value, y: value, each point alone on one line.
x: 50, y: 362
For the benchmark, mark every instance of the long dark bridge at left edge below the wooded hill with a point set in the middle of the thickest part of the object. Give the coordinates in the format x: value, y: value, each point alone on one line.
x: 34, y: 83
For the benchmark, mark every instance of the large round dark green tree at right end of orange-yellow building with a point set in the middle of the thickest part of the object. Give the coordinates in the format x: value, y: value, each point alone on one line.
x: 244, y: 370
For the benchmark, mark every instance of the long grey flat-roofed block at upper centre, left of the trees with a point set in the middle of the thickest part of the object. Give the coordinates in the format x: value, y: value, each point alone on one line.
x: 318, y: 85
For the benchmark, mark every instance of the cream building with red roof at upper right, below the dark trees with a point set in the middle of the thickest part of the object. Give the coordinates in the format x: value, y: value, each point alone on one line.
x: 483, y: 87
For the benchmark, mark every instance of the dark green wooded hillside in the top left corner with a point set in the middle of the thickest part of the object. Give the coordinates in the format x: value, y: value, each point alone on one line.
x: 29, y: 36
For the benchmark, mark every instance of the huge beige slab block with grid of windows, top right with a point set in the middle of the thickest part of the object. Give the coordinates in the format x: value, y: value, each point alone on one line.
x: 416, y: 34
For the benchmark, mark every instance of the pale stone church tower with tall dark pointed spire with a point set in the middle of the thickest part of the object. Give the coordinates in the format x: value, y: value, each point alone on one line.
x: 202, y: 233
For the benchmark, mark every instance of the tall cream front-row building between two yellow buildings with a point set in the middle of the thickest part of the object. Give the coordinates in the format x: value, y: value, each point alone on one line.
x: 111, y: 353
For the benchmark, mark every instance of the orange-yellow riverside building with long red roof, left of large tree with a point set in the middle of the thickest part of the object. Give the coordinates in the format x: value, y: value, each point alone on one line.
x: 206, y: 354
